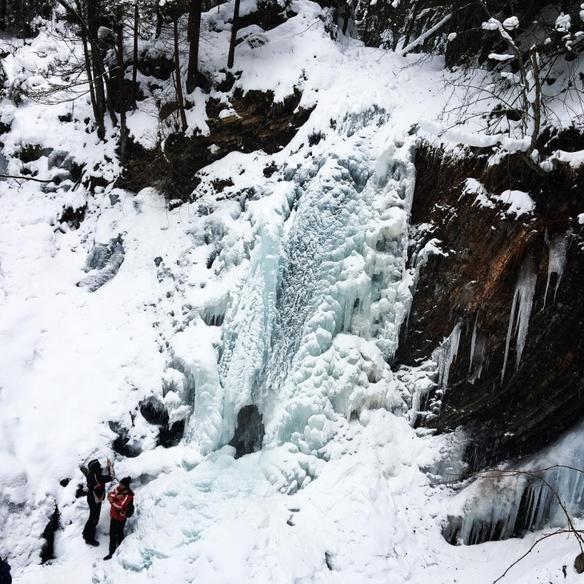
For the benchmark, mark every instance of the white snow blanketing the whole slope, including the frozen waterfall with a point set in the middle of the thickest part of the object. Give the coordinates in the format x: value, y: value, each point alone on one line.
x: 287, y: 293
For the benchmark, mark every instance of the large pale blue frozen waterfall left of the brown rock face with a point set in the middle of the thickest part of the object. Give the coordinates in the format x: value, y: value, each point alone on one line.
x: 317, y: 319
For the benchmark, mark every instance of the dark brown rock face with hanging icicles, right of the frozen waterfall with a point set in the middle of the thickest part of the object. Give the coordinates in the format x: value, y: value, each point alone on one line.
x: 491, y: 259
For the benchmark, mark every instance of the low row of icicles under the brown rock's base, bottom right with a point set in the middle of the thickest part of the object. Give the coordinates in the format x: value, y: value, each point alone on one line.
x: 508, y: 506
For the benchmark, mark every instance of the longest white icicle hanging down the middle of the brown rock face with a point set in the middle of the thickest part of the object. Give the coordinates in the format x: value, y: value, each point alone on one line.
x: 520, y: 310
